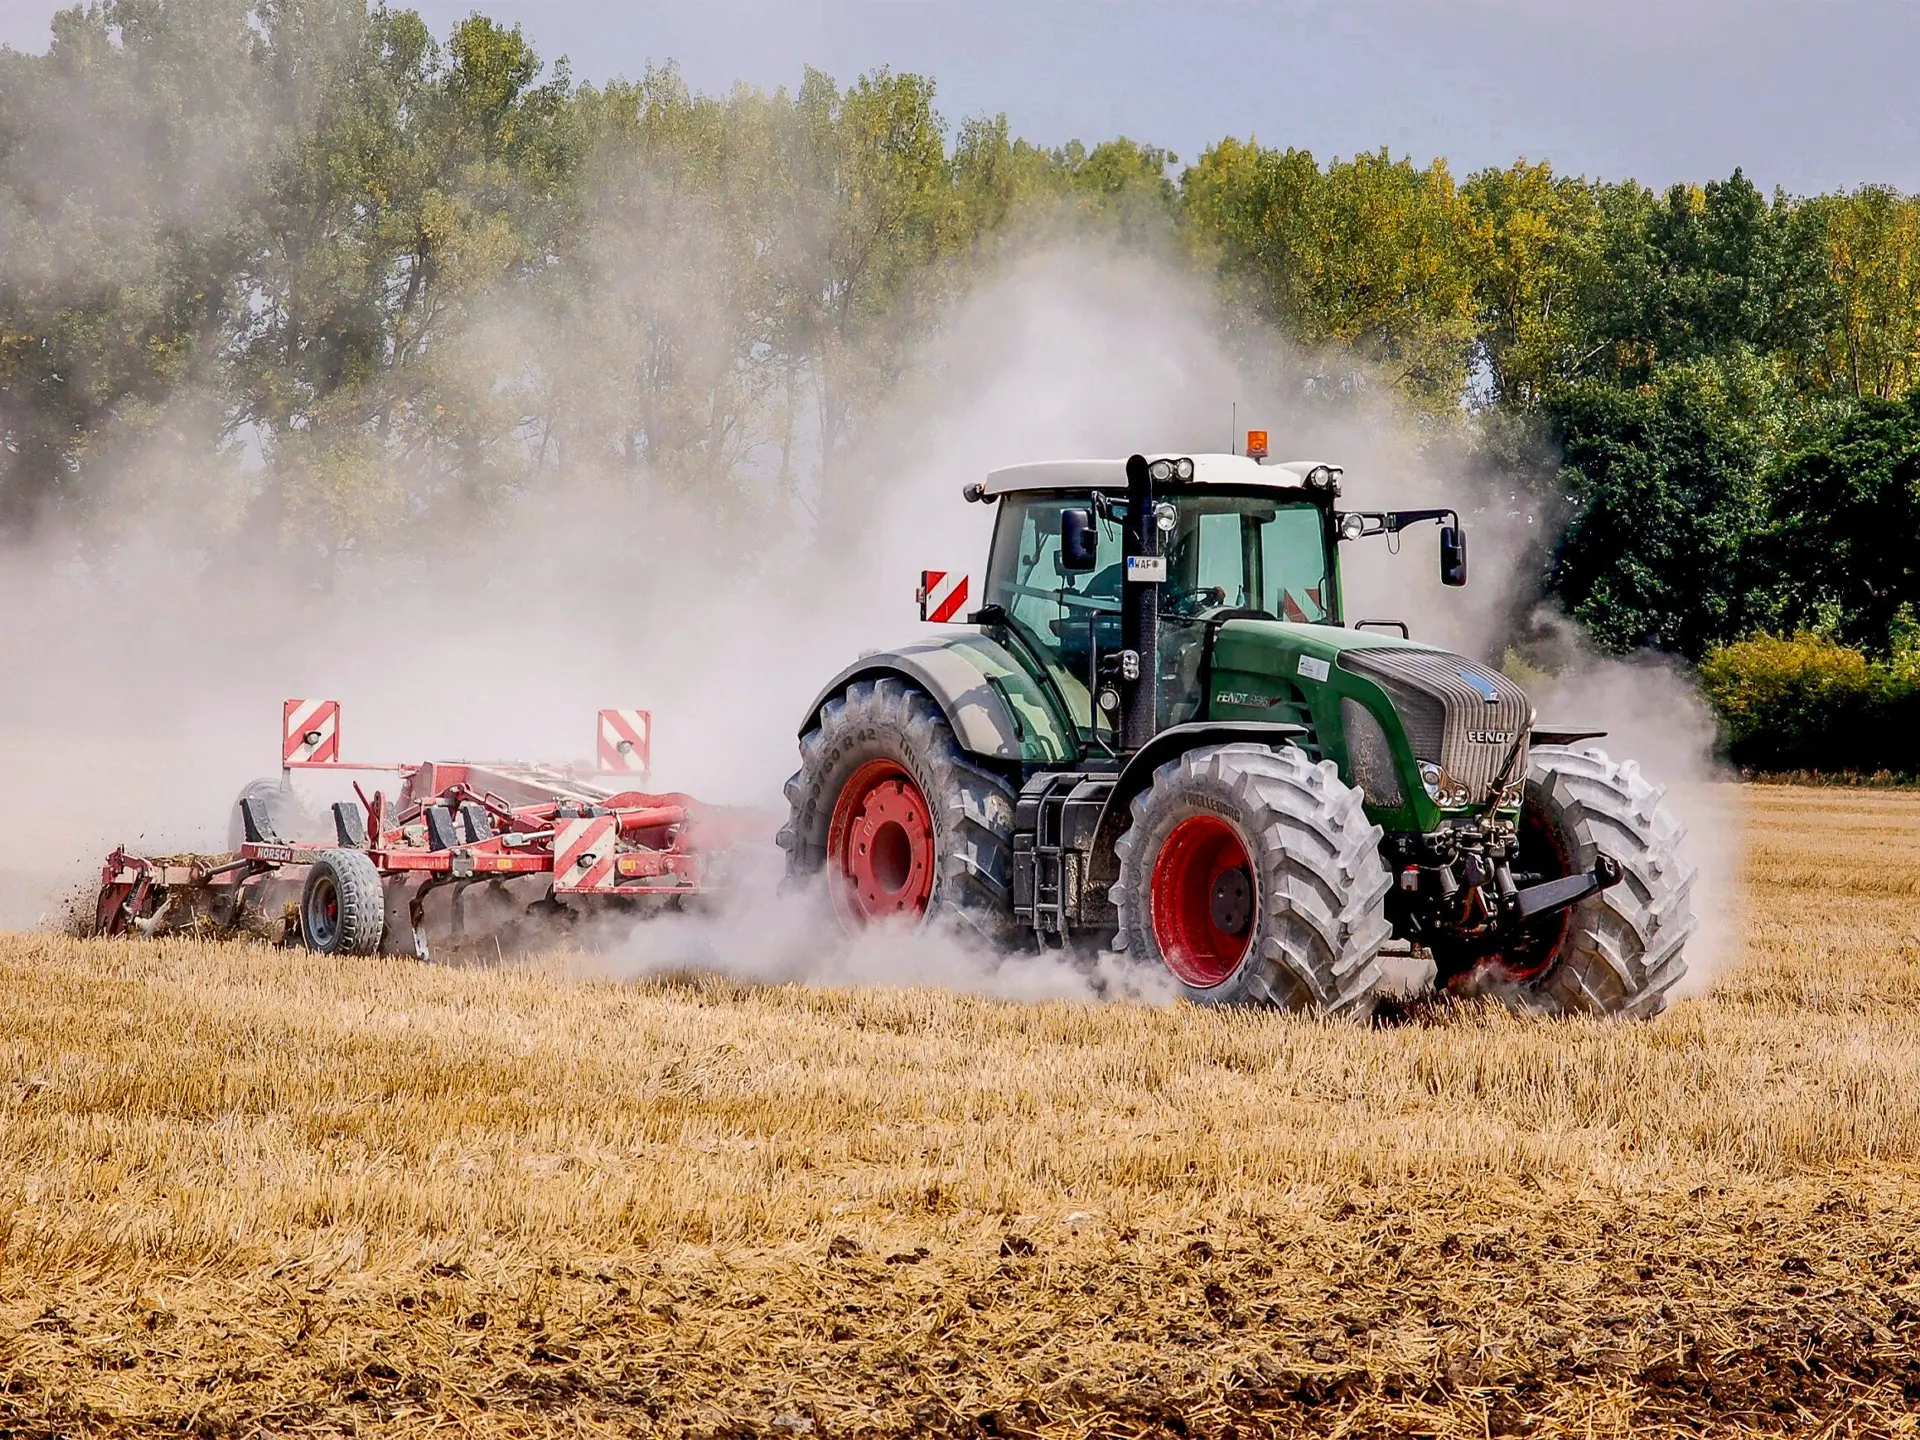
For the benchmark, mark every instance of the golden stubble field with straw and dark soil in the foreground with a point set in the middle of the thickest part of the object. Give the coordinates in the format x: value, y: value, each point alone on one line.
x: 249, y: 1191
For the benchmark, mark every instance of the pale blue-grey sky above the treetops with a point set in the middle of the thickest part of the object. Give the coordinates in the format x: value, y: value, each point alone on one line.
x: 1810, y: 97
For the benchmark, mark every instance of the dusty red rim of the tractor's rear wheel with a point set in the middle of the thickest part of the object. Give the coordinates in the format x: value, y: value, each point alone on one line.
x: 880, y: 846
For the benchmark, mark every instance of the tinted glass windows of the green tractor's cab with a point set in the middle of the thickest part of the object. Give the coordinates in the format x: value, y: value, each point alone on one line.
x: 1257, y: 554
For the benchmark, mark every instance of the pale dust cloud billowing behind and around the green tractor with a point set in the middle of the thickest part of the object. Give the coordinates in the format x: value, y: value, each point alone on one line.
x: 145, y: 673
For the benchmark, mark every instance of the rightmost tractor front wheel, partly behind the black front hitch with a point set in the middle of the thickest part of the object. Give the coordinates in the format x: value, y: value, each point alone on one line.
x: 1621, y: 951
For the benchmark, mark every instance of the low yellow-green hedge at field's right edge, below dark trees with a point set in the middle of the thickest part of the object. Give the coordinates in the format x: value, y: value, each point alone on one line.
x: 1810, y: 704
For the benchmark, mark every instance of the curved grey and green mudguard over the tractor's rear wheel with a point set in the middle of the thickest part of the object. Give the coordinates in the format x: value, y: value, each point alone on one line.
x: 996, y: 708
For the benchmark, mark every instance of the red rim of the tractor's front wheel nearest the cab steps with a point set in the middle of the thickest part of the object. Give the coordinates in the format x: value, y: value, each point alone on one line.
x: 1203, y: 901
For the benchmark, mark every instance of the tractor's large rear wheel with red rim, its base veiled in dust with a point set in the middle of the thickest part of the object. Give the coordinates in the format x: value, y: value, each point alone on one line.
x: 900, y: 819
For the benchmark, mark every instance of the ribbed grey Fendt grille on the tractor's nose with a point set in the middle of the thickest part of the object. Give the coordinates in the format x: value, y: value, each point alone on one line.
x: 1460, y: 715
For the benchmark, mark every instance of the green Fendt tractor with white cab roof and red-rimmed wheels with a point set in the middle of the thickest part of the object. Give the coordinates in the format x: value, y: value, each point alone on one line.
x: 1161, y: 736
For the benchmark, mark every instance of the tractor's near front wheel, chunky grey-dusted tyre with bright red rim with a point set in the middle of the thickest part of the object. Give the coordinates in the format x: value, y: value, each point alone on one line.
x: 1255, y: 876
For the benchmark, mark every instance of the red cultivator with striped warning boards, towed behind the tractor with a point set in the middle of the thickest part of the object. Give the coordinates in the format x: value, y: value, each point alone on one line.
x: 544, y: 844
